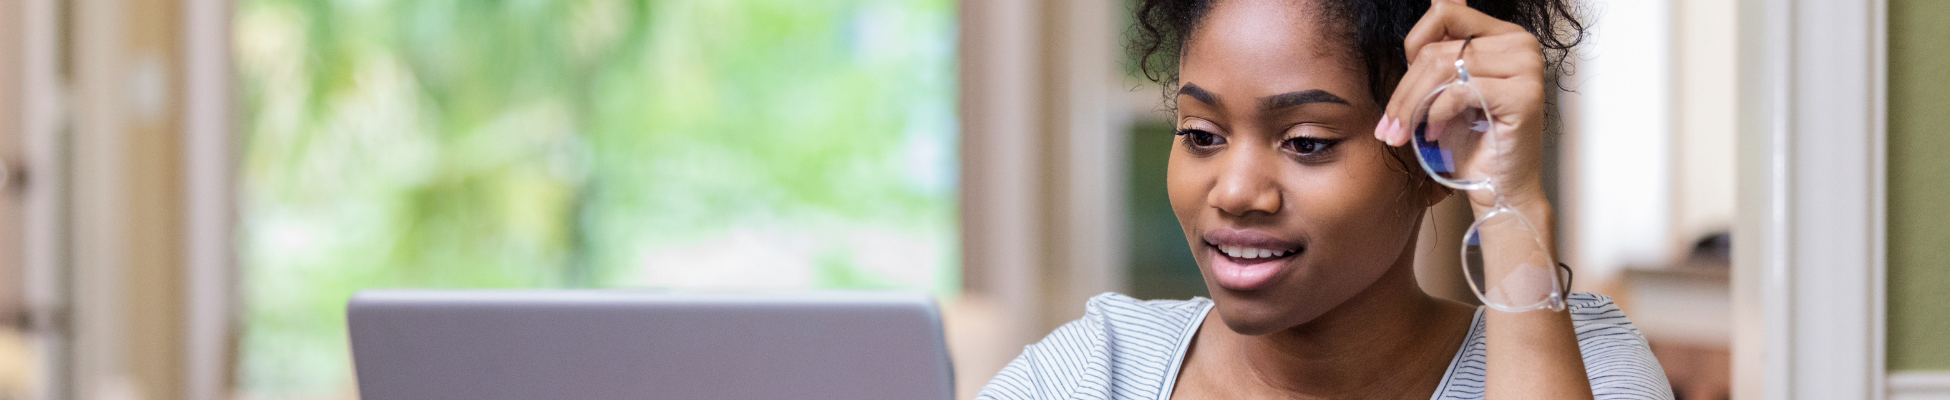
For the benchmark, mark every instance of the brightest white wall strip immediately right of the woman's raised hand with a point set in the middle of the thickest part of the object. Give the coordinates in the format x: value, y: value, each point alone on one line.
x: 1619, y: 141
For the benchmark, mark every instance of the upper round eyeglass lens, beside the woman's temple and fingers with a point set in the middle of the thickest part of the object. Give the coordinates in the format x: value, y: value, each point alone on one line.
x: 1450, y: 130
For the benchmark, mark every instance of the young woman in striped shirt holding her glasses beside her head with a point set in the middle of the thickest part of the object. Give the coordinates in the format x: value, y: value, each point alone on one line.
x: 1302, y: 200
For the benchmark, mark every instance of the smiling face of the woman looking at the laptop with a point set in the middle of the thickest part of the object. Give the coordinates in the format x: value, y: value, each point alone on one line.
x: 1290, y: 204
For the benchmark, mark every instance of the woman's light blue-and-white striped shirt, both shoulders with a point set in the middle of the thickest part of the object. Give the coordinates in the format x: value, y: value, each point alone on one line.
x: 1132, y: 350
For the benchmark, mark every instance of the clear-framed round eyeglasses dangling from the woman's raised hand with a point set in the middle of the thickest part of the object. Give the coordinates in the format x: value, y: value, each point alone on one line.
x: 1504, y: 257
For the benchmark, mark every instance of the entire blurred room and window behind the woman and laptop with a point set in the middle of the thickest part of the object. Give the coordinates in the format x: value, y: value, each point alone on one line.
x: 190, y: 190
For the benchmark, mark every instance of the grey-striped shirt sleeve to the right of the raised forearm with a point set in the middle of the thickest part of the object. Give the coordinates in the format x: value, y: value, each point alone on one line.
x: 1618, y: 358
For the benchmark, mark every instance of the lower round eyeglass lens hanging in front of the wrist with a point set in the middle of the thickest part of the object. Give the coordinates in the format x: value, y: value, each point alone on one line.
x: 1508, y: 264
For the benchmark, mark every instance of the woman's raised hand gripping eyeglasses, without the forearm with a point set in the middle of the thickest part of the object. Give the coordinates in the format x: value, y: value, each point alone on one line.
x: 1508, y: 67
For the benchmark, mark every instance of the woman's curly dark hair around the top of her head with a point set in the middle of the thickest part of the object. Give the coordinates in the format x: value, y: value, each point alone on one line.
x: 1376, y: 26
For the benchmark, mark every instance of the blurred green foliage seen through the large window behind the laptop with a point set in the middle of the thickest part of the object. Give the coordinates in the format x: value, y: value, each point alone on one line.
x: 582, y: 143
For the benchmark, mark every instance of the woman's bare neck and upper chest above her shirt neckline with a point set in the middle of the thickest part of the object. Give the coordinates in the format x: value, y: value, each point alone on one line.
x: 1387, y: 342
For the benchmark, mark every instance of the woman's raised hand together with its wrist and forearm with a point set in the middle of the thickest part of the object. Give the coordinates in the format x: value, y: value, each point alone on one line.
x: 1532, y: 354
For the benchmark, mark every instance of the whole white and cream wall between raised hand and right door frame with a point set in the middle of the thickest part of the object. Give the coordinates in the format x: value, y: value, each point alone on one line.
x: 1649, y: 134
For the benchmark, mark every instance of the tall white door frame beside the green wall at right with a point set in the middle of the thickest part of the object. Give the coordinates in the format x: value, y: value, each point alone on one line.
x: 1809, y: 268
